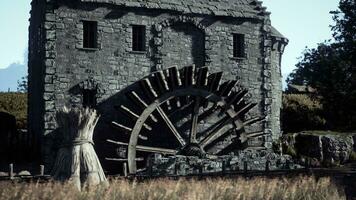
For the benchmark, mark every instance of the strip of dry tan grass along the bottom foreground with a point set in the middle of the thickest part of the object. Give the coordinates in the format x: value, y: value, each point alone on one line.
x: 214, y: 189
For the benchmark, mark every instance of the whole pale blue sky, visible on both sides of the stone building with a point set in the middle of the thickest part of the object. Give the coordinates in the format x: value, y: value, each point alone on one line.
x: 303, y: 22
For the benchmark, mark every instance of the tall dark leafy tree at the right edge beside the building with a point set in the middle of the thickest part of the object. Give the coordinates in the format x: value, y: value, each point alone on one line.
x: 330, y: 68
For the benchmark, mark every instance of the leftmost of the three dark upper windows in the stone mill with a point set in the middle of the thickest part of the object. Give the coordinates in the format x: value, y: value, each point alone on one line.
x: 90, y: 34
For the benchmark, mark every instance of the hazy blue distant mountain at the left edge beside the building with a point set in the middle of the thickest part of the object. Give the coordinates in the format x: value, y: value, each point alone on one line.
x: 10, y: 75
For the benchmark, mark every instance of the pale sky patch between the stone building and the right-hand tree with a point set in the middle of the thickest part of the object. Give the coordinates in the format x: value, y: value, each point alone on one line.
x: 303, y: 22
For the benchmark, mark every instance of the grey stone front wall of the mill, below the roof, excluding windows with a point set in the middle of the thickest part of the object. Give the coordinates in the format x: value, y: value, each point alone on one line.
x: 204, y: 40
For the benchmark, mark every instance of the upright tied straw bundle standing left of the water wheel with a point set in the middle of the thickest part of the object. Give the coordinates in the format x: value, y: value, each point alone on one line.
x: 76, y: 159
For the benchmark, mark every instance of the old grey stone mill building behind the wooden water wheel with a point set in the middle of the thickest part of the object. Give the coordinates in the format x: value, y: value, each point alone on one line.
x: 84, y: 52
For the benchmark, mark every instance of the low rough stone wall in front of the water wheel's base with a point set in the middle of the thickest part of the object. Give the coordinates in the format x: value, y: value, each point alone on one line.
x: 245, y: 160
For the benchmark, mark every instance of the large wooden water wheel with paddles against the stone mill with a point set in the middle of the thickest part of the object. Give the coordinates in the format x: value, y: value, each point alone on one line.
x: 187, y: 112
